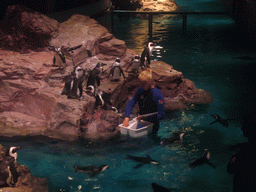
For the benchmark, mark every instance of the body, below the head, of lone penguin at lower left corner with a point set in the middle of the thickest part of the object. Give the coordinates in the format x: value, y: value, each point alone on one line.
x: 8, y: 172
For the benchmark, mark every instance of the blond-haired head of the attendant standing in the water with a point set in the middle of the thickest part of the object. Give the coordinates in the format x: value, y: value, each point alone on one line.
x: 146, y: 79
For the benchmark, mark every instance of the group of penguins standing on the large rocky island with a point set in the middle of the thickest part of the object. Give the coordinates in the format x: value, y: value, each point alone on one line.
x: 80, y: 78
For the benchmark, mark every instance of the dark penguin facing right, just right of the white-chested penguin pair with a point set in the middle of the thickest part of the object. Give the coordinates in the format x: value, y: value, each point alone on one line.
x: 94, y: 76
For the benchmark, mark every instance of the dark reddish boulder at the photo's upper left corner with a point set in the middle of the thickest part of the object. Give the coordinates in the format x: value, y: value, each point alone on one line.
x: 23, y: 29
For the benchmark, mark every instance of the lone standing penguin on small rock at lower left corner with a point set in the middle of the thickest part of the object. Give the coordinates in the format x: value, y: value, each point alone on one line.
x: 8, y: 171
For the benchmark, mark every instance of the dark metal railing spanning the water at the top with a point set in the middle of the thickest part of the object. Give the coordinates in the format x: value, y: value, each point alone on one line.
x: 151, y: 13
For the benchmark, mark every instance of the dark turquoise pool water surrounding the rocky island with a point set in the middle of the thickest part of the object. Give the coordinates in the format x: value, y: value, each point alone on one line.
x: 207, y: 56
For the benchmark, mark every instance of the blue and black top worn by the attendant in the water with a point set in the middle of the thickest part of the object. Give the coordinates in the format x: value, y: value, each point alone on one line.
x: 149, y: 101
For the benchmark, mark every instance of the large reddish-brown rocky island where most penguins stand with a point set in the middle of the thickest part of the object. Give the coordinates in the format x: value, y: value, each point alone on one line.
x: 31, y: 103
